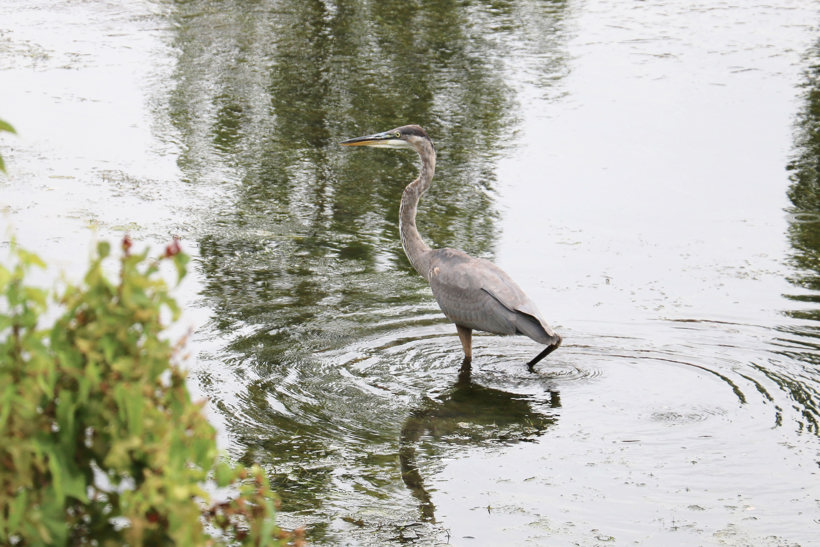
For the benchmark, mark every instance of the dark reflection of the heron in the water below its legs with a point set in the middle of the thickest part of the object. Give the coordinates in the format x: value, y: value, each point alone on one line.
x: 467, y: 414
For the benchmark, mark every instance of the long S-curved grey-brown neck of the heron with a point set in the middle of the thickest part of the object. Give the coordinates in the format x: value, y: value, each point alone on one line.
x: 414, y: 247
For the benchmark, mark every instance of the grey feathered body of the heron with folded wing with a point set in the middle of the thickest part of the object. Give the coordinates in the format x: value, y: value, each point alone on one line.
x: 476, y: 293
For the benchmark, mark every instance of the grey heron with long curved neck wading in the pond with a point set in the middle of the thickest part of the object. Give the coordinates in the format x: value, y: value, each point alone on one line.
x: 473, y: 293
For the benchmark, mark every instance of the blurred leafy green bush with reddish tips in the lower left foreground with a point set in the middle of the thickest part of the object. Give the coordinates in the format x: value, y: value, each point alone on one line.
x: 101, y: 441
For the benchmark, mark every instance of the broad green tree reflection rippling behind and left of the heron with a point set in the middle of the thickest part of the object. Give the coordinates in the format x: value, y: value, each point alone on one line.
x: 300, y: 250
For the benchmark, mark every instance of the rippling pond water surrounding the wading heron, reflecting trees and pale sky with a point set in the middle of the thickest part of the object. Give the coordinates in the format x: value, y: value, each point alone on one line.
x: 648, y: 172
